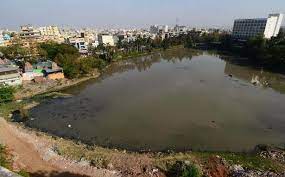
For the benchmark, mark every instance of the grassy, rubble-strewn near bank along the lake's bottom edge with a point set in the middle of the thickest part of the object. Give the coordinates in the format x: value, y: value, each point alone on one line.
x: 69, y: 156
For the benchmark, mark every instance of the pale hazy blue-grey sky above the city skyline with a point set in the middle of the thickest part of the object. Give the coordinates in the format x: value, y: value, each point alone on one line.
x: 133, y: 13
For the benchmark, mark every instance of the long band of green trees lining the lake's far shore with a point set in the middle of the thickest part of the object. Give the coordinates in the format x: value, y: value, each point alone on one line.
x: 270, y: 53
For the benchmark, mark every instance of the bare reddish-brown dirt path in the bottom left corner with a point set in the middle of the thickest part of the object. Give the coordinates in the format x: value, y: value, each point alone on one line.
x: 34, y: 154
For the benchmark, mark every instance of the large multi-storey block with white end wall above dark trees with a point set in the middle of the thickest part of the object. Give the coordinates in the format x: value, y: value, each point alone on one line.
x: 267, y: 27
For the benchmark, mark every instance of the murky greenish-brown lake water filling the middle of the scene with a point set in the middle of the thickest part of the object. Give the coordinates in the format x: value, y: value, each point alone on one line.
x: 178, y: 100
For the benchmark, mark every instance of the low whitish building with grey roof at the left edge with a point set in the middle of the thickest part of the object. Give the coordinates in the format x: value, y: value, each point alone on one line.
x: 9, y: 75
